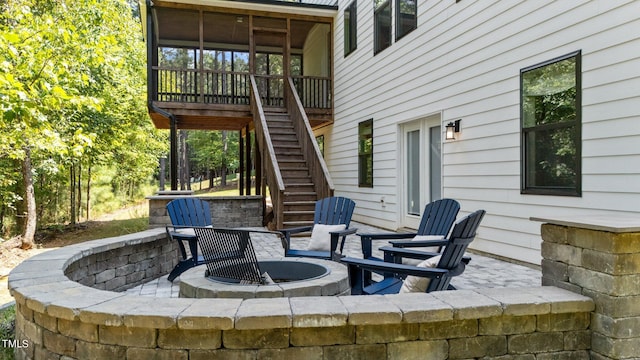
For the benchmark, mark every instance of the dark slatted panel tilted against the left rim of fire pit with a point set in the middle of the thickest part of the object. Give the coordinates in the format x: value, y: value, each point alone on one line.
x: 229, y: 254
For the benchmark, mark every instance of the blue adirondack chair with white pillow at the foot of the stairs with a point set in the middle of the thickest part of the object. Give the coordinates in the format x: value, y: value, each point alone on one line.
x: 328, y: 211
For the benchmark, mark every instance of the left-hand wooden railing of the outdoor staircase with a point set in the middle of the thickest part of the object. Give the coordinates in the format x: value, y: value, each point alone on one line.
x: 271, y: 167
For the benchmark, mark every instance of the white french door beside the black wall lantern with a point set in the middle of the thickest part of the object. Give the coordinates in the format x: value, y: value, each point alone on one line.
x: 421, y: 175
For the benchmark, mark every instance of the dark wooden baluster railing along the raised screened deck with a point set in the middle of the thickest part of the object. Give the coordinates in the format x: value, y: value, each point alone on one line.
x: 234, y: 88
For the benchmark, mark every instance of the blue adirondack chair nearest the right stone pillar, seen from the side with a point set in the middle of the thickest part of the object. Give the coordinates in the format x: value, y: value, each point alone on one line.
x: 449, y: 265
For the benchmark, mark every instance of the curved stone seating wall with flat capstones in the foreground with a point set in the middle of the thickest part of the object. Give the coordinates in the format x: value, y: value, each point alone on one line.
x: 62, y: 319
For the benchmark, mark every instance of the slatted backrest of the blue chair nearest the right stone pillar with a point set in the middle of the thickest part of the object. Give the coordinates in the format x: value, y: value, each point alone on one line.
x: 461, y: 236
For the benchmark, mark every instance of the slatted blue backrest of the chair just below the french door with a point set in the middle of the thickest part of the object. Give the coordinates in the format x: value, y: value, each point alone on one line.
x: 438, y: 217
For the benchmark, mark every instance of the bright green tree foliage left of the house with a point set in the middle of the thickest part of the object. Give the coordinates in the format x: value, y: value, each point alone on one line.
x: 72, y: 90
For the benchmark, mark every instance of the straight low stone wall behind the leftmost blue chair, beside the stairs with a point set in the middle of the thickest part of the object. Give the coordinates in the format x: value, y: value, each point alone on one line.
x: 226, y: 211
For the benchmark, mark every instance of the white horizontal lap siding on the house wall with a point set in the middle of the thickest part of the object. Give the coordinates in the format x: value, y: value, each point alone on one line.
x: 463, y: 61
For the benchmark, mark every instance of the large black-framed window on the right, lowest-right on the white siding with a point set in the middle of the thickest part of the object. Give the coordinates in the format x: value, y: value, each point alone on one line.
x: 551, y: 127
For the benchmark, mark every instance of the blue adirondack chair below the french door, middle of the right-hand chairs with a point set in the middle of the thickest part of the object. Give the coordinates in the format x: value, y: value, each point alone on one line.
x: 437, y: 218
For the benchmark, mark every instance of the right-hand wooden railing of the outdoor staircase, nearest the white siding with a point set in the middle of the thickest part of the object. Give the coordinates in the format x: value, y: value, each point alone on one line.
x: 313, y: 156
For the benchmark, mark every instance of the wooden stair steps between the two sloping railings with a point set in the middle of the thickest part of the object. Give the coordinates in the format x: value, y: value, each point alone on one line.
x: 300, y: 194
